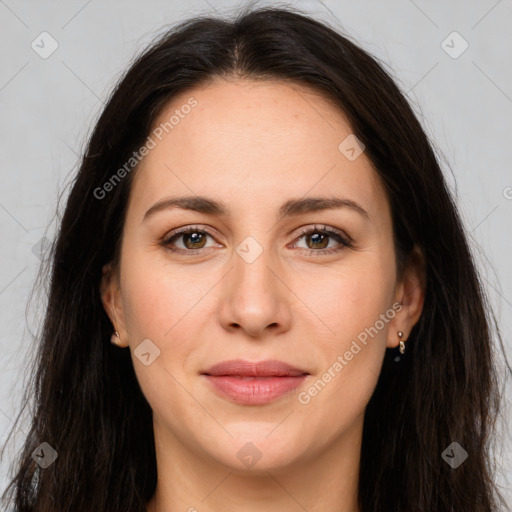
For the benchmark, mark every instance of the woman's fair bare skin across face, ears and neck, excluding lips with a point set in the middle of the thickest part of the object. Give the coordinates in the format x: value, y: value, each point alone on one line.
x: 254, y: 145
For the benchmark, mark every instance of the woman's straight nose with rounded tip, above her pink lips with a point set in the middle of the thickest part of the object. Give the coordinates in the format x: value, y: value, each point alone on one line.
x: 255, y: 297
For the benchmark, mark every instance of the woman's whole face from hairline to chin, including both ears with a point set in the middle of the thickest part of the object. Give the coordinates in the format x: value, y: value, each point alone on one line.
x: 259, y: 277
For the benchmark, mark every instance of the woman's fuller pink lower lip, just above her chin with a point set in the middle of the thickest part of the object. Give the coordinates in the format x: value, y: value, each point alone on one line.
x: 254, y: 391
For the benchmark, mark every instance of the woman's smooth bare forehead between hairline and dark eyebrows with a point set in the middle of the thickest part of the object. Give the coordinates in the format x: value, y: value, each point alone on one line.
x: 252, y: 141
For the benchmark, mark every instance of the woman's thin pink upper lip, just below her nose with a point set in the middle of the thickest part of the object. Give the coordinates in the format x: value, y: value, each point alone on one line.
x: 268, y: 368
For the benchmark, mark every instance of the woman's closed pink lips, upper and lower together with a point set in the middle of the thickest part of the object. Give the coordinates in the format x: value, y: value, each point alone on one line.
x: 254, y: 383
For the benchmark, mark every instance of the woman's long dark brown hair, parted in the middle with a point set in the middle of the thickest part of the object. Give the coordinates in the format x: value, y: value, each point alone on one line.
x: 89, y: 406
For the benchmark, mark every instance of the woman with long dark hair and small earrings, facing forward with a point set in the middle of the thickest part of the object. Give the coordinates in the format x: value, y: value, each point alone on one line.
x: 261, y: 229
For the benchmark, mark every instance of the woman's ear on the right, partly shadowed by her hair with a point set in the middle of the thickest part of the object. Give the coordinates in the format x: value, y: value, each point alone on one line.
x: 410, y: 294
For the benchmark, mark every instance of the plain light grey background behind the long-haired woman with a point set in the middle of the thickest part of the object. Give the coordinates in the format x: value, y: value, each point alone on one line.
x: 49, y: 105
